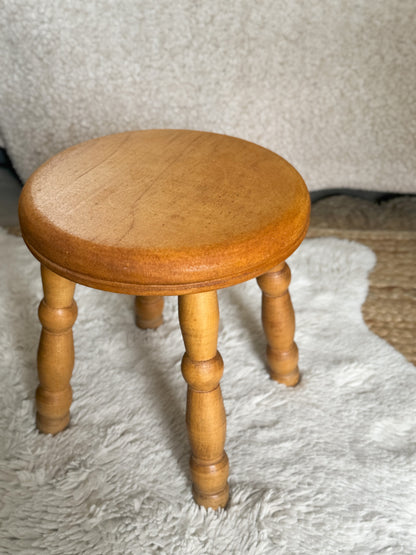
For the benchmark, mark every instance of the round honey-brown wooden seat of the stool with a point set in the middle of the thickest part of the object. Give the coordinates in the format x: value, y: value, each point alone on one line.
x: 163, y: 212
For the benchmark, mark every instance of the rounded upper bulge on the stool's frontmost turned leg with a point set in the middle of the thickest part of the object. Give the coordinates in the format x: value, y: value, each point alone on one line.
x: 202, y: 375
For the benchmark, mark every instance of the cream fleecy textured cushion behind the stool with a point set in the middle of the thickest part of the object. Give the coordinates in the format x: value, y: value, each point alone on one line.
x: 328, y: 84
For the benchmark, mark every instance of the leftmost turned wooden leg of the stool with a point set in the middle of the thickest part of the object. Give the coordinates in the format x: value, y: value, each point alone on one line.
x: 57, y: 313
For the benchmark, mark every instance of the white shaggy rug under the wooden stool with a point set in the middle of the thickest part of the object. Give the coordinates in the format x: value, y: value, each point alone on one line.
x: 326, y: 467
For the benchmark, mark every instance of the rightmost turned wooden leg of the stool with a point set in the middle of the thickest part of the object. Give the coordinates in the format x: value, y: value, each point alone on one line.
x: 279, y: 325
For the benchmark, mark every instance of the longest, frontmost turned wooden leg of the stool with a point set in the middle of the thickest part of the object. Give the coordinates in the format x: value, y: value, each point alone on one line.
x: 202, y: 368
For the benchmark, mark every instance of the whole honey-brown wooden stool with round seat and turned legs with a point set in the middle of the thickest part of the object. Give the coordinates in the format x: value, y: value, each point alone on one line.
x: 166, y: 212
